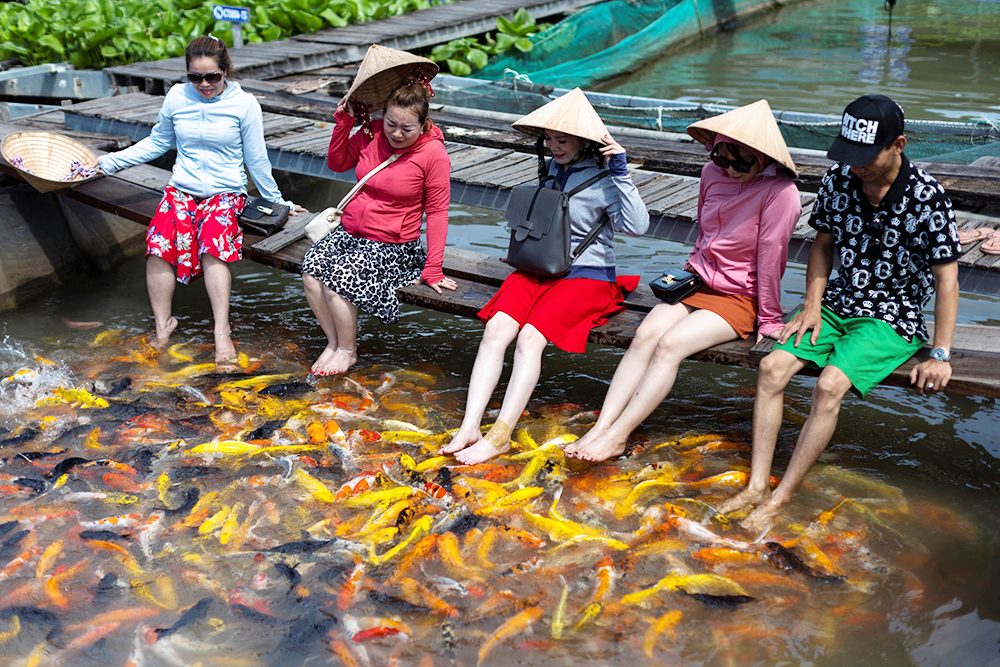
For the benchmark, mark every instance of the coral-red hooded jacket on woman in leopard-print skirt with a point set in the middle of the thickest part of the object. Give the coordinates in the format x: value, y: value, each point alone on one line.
x: 391, y: 205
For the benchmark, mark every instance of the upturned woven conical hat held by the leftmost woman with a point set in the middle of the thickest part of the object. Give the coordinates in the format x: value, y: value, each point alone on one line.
x: 49, y: 156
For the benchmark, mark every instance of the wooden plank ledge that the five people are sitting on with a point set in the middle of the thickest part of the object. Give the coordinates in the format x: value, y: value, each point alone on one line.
x: 135, y: 193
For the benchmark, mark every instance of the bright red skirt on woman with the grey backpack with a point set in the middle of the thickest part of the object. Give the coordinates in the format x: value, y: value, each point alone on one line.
x: 564, y: 310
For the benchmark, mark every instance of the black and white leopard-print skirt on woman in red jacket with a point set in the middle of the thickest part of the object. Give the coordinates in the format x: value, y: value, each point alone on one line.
x: 367, y: 273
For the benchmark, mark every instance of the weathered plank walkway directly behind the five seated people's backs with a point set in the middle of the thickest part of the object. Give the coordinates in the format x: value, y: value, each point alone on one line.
x: 482, y: 176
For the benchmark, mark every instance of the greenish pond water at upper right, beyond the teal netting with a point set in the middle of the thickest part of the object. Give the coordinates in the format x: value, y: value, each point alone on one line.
x: 941, y: 62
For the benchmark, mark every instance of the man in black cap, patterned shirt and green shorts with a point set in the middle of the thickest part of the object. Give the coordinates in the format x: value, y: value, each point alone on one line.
x: 892, y: 227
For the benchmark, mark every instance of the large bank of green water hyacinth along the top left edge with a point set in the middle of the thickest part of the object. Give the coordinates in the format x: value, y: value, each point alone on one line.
x: 101, y: 33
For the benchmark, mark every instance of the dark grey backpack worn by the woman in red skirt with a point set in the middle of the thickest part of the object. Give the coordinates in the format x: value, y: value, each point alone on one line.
x: 539, y: 224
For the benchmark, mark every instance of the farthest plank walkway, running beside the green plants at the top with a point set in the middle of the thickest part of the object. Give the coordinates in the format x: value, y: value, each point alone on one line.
x: 338, y: 46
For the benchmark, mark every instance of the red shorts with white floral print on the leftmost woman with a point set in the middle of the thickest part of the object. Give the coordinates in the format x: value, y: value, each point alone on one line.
x: 182, y: 221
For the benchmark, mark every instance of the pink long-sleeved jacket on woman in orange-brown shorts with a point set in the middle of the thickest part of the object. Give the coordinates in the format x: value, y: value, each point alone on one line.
x: 743, y: 233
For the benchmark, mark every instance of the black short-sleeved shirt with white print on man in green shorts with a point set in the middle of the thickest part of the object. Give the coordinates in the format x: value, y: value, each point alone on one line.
x: 886, y: 253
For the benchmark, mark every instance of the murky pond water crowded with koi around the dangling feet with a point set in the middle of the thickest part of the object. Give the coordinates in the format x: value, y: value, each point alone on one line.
x: 143, y: 539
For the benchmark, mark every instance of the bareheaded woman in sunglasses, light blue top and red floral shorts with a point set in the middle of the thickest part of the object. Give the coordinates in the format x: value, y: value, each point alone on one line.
x: 216, y: 127
